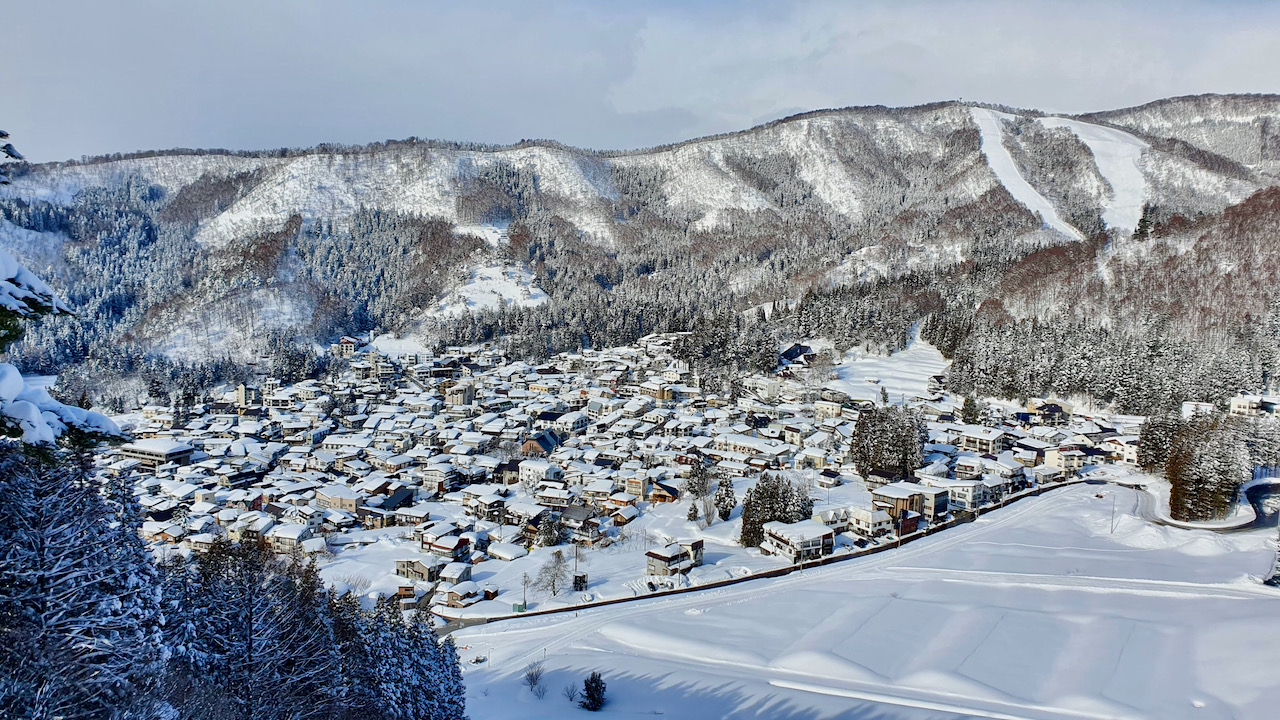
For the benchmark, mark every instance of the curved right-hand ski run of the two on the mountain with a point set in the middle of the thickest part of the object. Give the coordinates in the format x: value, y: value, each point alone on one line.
x: 1117, y: 154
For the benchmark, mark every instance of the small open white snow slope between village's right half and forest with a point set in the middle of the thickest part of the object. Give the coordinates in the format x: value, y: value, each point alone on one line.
x: 904, y: 375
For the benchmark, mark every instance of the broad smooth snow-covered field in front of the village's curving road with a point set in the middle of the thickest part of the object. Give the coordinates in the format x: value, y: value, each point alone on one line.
x: 1037, y: 610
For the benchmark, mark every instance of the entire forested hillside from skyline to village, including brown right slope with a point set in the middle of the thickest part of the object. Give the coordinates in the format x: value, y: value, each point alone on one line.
x: 1121, y: 254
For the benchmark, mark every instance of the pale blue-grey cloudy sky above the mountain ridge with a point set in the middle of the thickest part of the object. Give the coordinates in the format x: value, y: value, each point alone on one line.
x: 92, y: 78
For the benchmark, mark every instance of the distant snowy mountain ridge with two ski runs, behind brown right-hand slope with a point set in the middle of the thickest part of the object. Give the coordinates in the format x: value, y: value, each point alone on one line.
x: 203, y: 254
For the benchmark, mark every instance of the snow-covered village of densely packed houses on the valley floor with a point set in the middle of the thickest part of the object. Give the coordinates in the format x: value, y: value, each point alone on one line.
x: 470, y: 486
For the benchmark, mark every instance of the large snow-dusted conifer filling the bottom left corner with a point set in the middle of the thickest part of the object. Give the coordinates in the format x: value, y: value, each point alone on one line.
x: 79, y: 609
